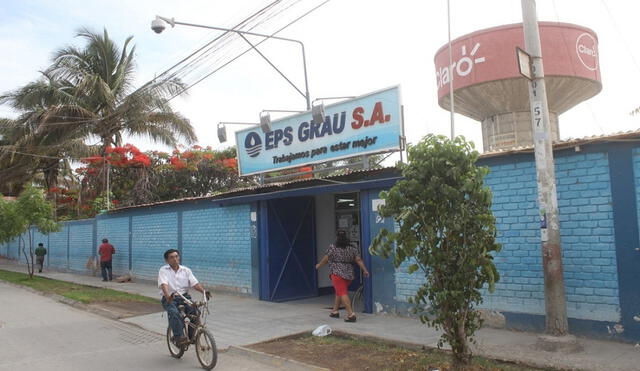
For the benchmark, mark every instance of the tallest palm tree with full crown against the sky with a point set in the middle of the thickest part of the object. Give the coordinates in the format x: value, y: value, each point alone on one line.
x: 101, y: 75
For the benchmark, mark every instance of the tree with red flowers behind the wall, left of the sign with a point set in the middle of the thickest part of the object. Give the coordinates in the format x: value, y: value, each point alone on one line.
x: 137, y: 178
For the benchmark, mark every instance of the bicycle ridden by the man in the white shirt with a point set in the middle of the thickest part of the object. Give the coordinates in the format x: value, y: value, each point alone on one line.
x: 197, y: 334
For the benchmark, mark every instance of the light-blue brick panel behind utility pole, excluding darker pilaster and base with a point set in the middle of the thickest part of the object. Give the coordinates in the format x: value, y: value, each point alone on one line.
x: 587, y: 238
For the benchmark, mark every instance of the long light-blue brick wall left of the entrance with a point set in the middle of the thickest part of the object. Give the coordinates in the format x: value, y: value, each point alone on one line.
x: 215, y: 242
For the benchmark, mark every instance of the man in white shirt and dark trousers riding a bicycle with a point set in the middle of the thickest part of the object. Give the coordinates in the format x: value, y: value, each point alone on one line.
x: 175, y: 278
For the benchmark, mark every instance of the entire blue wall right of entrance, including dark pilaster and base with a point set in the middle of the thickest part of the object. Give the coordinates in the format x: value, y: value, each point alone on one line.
x: 593, y: 271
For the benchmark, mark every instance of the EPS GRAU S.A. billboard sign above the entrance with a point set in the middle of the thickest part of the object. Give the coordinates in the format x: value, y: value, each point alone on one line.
x: 364, y: 125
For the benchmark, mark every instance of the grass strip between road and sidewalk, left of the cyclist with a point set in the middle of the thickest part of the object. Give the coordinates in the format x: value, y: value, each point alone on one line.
x: 81, y: 293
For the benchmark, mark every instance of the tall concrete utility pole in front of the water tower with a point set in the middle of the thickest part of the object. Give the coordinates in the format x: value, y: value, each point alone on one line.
x: 555, y: 305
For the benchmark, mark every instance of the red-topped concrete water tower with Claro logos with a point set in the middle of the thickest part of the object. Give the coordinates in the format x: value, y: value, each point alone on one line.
x: 488, y: 87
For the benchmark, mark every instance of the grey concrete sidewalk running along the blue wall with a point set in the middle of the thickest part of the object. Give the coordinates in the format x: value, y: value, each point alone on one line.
x: 240, y: 321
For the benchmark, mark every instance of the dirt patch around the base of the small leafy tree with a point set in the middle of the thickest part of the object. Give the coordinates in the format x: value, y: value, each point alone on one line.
x: 342, y: 353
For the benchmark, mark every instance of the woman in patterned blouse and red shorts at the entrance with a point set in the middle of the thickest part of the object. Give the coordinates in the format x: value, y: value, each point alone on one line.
x: 341, y: 257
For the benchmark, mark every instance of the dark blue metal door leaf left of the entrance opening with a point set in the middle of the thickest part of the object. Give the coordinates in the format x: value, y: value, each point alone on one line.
x: 291, y: 249
